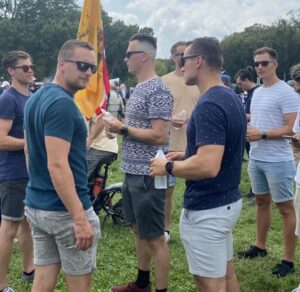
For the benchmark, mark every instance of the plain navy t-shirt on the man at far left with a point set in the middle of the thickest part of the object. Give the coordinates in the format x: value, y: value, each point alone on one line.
x: 12, y: 163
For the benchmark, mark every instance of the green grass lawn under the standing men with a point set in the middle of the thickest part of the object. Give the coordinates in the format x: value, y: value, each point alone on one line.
x: 116, y: 263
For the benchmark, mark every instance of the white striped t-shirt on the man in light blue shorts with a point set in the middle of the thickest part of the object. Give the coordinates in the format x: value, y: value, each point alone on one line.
x: 268, y: 106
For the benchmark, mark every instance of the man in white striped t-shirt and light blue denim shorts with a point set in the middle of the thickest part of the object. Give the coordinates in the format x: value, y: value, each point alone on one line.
x: 272, y: 166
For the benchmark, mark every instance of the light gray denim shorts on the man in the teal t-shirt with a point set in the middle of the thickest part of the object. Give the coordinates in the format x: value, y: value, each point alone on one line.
x: 54, y: 241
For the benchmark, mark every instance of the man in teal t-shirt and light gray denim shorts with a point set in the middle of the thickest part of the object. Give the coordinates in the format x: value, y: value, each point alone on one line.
x: 64, y: 225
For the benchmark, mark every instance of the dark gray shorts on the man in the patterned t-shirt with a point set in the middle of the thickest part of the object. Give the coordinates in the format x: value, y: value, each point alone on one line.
x: 144, y: 205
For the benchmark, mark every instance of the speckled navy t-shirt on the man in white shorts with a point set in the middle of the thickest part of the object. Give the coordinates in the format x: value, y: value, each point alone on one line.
x: 217, y: 119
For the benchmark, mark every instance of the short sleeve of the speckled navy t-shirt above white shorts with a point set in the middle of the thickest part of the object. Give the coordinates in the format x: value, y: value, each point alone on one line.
x: 210, y: 125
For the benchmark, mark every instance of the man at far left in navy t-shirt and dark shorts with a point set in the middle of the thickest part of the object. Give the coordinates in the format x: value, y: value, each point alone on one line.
x: 13, y: 173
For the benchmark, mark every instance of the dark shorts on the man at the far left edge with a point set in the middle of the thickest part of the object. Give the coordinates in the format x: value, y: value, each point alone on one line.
x: 12, y: 194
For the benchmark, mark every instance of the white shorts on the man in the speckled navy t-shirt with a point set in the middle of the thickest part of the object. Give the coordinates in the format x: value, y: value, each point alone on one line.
x: 207, y: 238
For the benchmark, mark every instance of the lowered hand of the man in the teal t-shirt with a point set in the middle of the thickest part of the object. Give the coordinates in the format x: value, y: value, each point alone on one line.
x: 84, y: 234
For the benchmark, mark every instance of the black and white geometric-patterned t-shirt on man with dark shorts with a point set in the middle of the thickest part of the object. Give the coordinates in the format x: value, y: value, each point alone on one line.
x: 150, y: 100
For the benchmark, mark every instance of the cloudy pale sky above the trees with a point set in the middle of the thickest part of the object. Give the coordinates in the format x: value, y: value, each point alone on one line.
x: 174, y: 20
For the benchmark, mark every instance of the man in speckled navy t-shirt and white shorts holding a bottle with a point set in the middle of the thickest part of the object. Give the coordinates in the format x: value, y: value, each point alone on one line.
x: 212, y: 167
